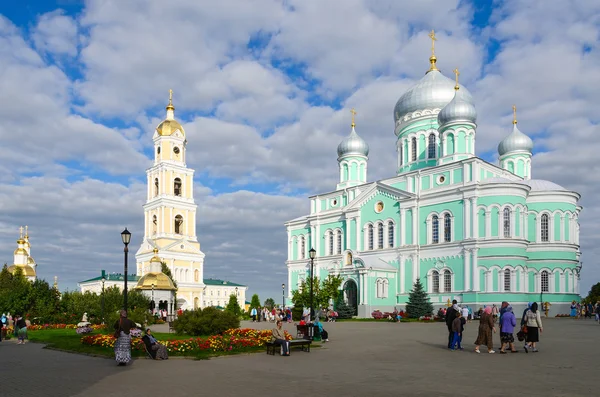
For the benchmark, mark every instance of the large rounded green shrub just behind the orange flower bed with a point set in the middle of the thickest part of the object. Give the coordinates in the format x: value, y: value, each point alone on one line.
x: 207, y: 321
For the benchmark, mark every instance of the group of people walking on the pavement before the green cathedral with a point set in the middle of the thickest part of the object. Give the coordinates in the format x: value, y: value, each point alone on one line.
x: 530, y: 327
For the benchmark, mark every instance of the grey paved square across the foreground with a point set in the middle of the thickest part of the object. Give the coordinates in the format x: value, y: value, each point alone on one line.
x: 362, y: 359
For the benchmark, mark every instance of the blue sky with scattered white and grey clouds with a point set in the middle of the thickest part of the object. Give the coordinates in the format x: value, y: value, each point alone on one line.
x: 264, y: 90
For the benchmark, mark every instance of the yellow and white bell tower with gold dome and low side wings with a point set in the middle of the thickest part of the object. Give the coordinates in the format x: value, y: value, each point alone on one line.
x: 170, y: 233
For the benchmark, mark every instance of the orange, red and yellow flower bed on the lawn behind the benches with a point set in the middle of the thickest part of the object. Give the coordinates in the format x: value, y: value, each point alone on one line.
x: 230, y: 341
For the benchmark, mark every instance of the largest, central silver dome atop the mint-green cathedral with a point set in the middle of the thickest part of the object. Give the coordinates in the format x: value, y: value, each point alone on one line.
x: 433, y: 91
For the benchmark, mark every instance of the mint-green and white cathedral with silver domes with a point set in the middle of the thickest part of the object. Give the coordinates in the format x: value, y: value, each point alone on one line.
x: 469, y: 230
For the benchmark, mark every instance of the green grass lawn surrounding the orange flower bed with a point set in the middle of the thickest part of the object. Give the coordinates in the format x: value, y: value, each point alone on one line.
x: 69, y: 340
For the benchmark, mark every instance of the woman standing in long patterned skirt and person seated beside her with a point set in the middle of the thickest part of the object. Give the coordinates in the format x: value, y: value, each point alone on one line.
x: 123, y: 327
